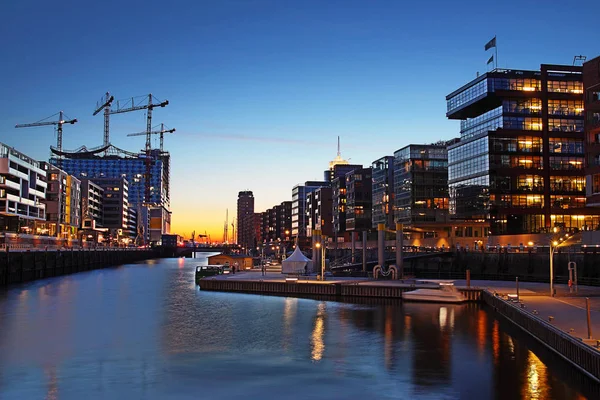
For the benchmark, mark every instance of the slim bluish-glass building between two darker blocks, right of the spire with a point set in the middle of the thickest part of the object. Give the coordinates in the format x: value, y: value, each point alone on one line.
x: 383, y: 192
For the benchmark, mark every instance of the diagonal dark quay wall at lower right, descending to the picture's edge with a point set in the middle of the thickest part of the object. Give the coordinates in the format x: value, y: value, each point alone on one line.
x: 582, y: 356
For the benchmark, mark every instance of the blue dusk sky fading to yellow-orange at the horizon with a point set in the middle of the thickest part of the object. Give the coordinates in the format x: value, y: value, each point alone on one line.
x: 259, y: 90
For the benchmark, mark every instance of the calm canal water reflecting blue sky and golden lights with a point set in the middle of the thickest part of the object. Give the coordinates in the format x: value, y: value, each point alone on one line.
x: 145, y: 331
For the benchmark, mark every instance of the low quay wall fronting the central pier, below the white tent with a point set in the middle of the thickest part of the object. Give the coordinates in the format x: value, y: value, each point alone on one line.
x: 317, y: 289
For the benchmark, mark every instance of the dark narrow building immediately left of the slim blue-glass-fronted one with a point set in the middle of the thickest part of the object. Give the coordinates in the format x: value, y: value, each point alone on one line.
x: 359, y: 198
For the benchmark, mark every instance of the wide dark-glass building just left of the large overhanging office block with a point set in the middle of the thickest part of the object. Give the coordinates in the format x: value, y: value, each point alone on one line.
x: 421, y: 184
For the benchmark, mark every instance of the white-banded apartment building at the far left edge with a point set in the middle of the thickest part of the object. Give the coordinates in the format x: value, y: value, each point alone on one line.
x: 22, y: 191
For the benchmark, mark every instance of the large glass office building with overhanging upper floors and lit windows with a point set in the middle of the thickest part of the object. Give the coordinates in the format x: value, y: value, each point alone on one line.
x: 519, y: 162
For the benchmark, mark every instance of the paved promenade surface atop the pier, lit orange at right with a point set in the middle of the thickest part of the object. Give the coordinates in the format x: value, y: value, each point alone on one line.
x: 567, y: 309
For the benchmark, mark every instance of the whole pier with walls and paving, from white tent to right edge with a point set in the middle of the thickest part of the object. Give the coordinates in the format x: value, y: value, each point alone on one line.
x: 559, y: 323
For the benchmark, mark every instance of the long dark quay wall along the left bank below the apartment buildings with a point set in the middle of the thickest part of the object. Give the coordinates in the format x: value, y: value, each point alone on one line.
x: 24, y: 266
